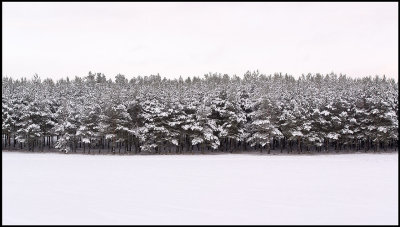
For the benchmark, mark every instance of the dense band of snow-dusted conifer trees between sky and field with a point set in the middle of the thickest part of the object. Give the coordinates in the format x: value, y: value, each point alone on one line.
x: 213, y: 113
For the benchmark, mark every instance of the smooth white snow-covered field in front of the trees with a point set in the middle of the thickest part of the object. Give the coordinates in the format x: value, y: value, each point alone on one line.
x: 200, y: 189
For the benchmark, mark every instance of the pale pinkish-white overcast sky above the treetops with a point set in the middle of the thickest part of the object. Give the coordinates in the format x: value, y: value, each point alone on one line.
x: 190, y: 39
